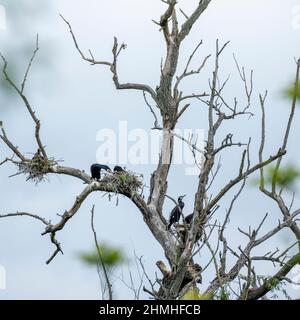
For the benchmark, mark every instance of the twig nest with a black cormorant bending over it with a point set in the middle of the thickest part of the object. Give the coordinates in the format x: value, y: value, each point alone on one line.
x: 123, y: 182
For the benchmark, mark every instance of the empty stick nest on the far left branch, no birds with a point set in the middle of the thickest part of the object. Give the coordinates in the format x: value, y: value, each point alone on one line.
x: 37, y: 168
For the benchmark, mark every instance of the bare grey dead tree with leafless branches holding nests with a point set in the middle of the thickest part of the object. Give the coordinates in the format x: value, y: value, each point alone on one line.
x: 180, y: 249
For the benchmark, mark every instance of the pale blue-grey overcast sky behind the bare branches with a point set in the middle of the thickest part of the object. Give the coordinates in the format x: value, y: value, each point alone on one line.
x: 75, y: 100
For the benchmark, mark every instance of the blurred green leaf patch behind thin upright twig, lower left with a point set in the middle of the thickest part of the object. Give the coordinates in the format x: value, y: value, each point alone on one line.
x: 112, y: 257
